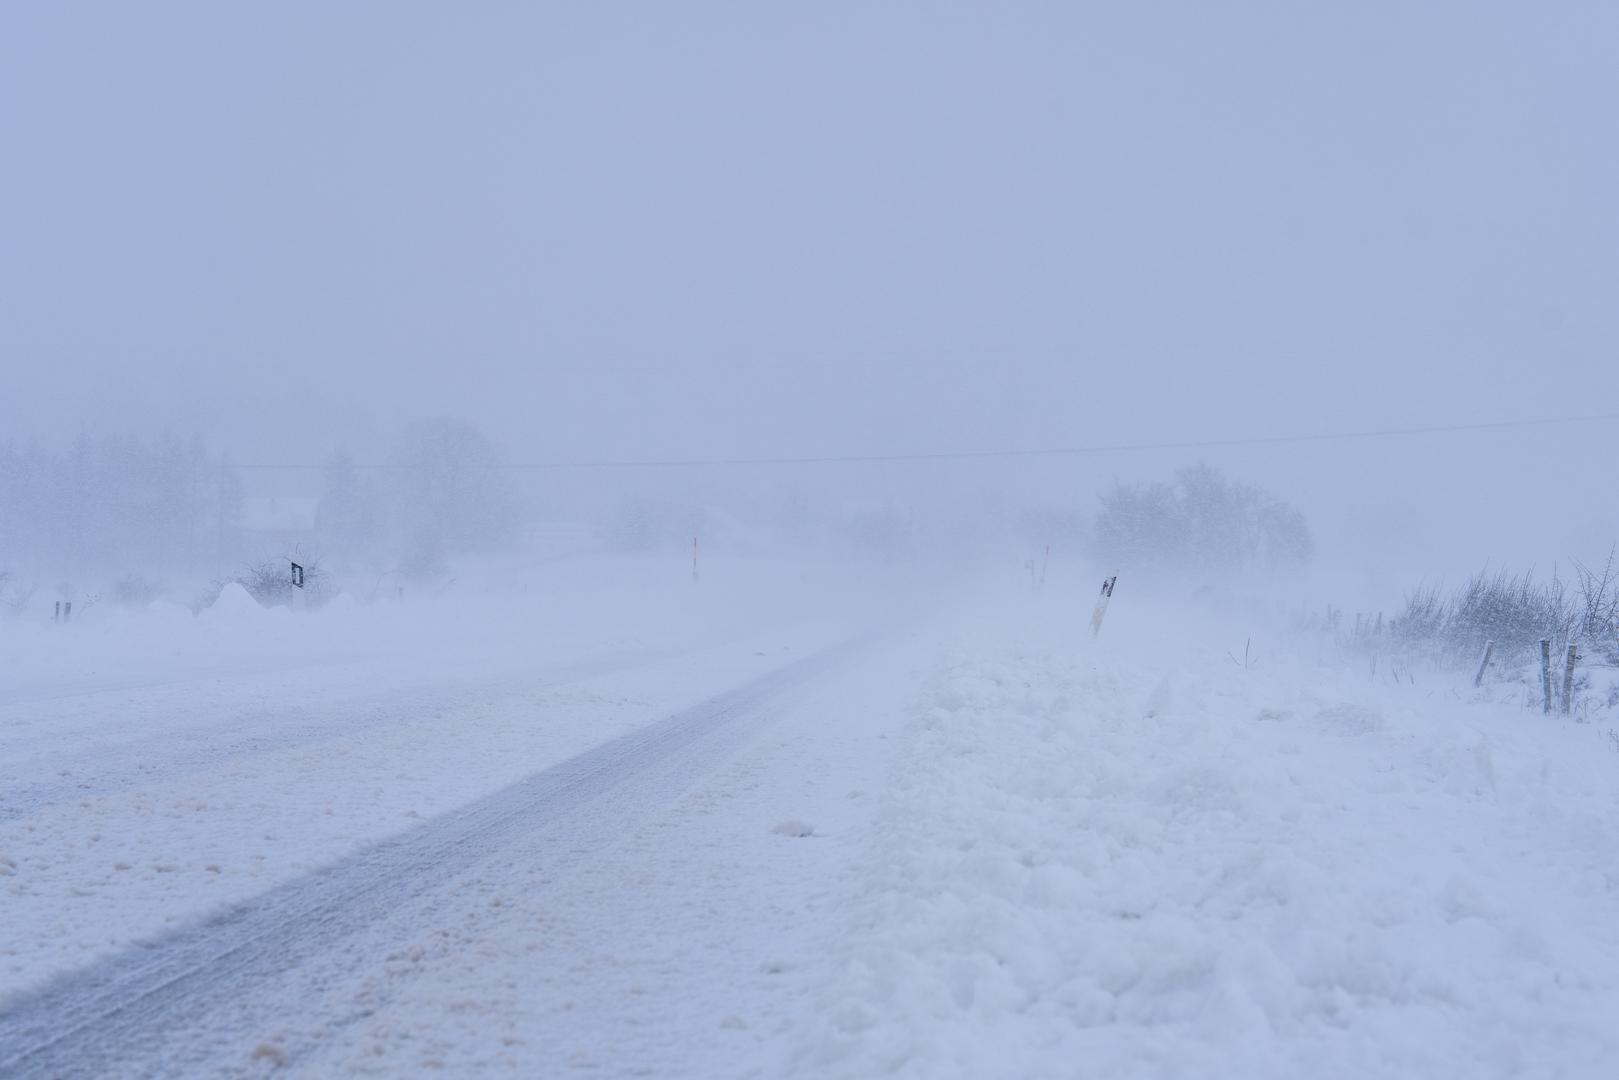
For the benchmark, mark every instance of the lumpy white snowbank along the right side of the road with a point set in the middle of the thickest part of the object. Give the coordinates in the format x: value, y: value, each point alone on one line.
x: 1139, y: 859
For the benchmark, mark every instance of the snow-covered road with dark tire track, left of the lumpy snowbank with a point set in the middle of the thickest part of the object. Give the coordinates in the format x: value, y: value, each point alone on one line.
x: 402, y: 840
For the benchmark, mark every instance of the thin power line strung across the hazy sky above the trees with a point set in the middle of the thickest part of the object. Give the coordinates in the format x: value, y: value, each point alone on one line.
x: 969, y: 456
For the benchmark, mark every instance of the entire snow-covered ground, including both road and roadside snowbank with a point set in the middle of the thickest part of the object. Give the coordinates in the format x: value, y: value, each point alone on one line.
x: 783, y: 825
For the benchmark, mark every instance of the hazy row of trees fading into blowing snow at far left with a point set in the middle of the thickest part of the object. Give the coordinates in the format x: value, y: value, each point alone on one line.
x: 134, y: 512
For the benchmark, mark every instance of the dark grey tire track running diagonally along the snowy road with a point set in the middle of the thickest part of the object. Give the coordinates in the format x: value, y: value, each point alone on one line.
x: 202, y: 998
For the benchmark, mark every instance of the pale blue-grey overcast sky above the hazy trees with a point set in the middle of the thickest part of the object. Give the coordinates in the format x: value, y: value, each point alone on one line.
x: 770, y: 229
